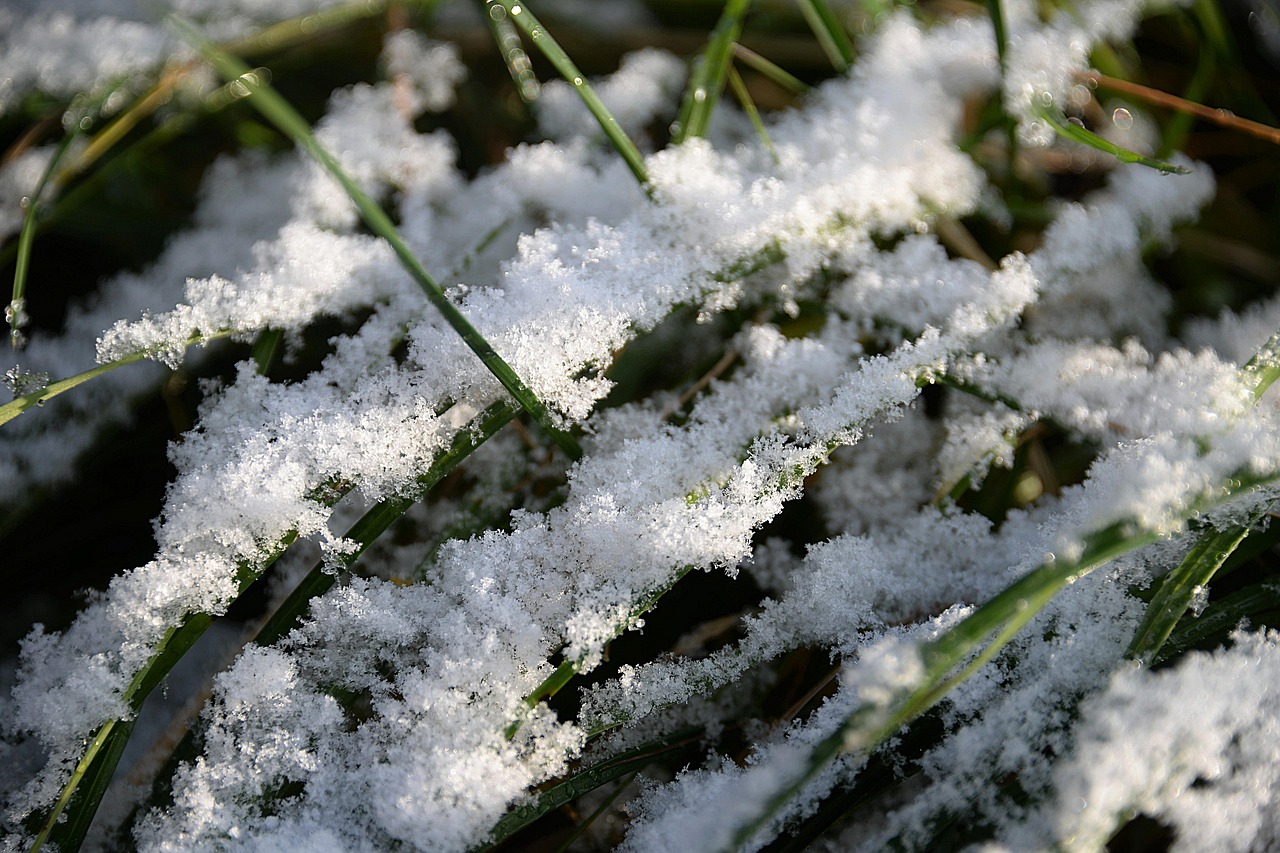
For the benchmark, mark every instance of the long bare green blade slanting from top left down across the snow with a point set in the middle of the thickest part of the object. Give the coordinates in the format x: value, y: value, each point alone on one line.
x: 276, y: 110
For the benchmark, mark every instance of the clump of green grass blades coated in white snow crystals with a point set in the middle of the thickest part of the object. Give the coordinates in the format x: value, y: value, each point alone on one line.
x: 728, y: 346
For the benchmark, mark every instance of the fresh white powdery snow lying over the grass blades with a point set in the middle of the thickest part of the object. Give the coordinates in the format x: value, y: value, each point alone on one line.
x: 397, y: 714
